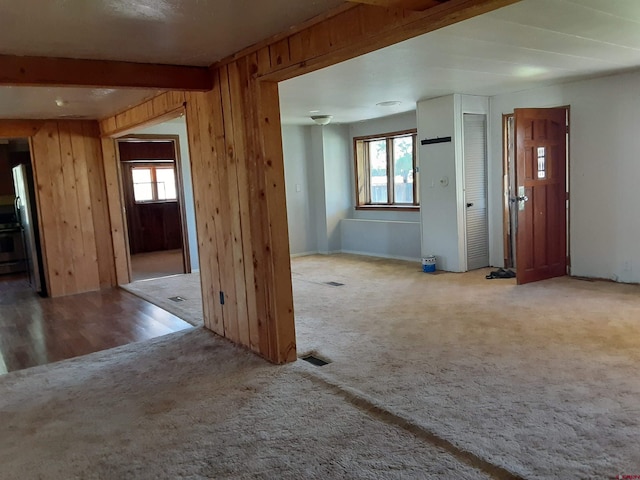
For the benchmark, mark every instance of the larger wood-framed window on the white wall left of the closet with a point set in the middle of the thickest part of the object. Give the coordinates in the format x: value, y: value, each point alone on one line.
x: 386, y: 170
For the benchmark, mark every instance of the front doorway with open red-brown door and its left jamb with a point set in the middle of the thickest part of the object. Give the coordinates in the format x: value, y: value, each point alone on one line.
x: 536, y: 189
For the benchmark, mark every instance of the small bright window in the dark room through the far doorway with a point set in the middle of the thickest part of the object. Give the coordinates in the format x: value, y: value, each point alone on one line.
x: 154, y: 183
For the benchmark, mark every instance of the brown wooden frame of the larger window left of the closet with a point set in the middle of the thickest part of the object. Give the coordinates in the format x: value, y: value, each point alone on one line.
x: 362, y: 171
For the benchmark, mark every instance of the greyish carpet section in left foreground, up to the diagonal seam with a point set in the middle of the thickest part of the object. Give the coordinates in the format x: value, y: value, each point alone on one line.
x: 190, y: 405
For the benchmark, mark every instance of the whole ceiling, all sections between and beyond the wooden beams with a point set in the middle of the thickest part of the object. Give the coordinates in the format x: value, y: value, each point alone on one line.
x: 530, y: 43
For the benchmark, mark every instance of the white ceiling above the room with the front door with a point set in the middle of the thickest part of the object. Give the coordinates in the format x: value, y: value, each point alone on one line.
x: 521, y: 46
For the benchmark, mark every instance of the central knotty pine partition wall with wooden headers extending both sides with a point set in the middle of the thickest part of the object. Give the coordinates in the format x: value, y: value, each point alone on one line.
x: 238, y: 169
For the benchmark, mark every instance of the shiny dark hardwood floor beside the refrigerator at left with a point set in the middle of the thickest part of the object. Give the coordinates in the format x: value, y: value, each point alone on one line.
x: 36, y: 331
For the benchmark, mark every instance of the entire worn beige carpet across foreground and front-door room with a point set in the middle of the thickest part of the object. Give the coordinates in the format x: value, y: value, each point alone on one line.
x: 534, y: 381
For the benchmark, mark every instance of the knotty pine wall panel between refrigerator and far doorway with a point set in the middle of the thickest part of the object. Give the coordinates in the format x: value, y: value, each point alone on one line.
x: 67, y: 164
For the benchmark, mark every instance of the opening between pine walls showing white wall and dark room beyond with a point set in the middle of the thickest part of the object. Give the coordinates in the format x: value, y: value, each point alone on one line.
x: 157, y: 193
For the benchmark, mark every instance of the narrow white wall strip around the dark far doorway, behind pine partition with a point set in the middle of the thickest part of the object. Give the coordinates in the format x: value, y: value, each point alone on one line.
x: 179, y: 127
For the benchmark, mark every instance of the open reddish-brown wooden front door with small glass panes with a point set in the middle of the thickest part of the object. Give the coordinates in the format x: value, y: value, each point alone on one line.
x: 541, y: 179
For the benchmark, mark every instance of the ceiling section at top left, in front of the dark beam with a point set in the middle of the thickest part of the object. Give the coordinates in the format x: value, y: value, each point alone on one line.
x: 180, y: 32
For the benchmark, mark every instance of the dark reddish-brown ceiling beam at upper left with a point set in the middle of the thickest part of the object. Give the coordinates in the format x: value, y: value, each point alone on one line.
x: 68, y: 72
